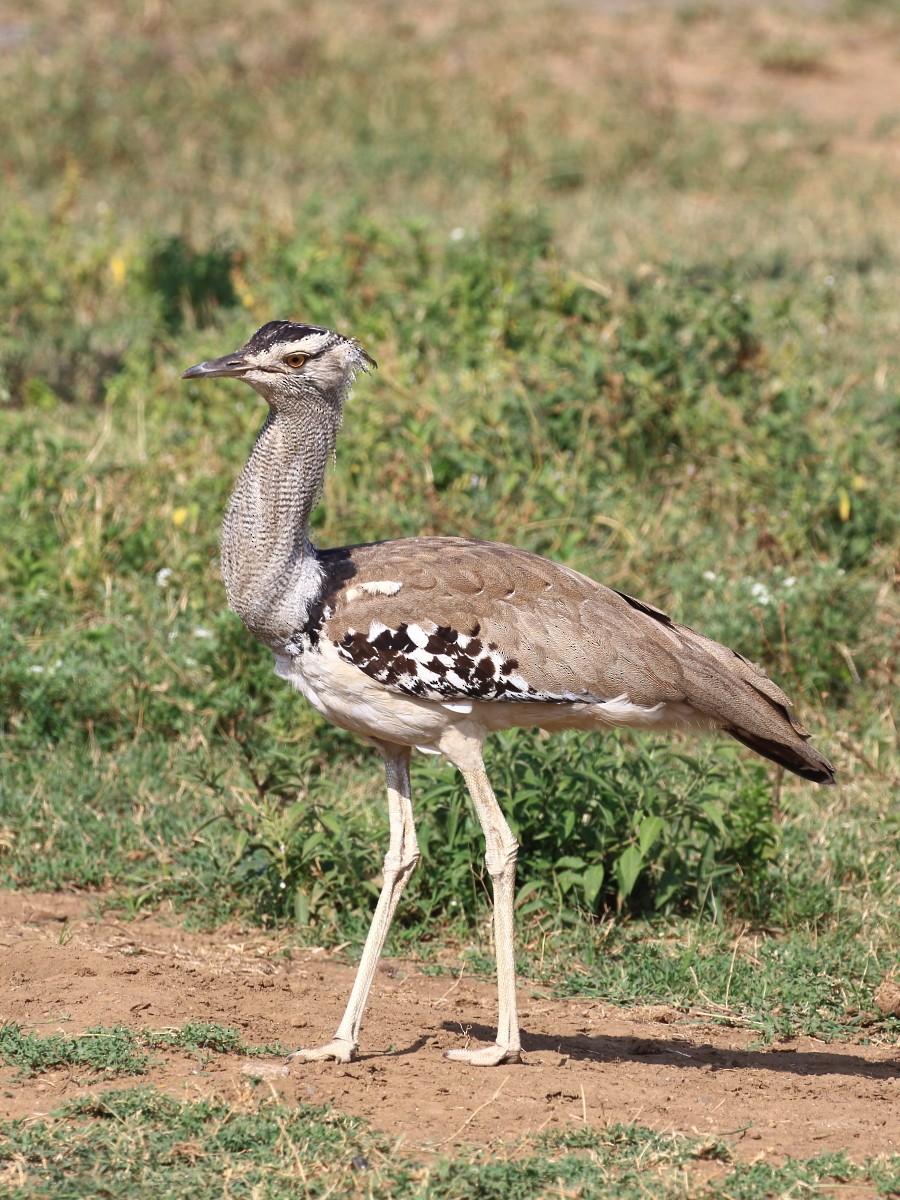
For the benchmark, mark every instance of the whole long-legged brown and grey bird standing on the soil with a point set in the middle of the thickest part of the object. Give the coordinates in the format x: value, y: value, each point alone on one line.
x: 435, y: 643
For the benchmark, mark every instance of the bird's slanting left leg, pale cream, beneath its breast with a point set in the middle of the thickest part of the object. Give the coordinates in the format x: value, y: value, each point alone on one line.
x: 399, y: 865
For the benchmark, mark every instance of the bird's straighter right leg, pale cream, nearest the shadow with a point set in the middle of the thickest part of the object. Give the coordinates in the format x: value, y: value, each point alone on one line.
x: 501, y: 861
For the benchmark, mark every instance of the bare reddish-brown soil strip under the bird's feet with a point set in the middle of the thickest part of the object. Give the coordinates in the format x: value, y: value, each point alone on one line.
x: 64, y: 970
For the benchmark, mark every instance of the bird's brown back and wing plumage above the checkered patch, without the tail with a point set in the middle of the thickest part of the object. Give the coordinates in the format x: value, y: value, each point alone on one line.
x: 568, y: 635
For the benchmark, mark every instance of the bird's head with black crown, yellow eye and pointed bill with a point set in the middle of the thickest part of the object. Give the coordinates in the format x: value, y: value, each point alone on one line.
x: 292, y: 365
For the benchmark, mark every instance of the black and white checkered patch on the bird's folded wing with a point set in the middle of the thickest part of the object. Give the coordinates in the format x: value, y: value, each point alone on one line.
x: 440, y: 663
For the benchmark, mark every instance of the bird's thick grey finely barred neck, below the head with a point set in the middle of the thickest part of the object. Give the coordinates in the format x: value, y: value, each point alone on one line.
x: 271, y: 568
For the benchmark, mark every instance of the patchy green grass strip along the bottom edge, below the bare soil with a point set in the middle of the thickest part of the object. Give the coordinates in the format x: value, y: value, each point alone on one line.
x: 140, y: 1142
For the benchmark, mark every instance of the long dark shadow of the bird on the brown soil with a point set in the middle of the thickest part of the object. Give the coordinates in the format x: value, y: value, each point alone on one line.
x: 679, y: 1053
